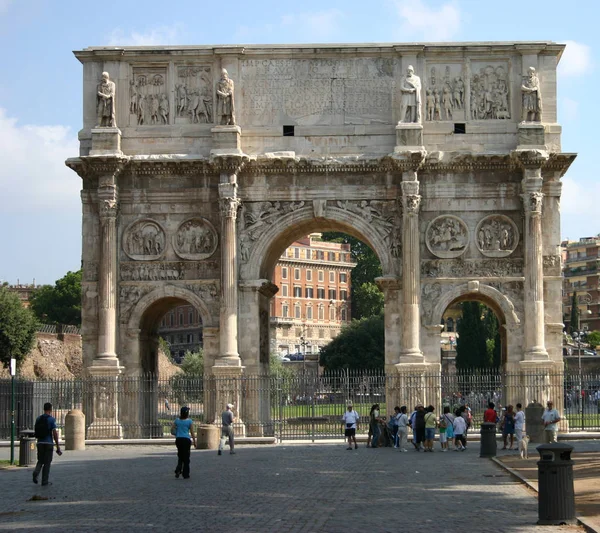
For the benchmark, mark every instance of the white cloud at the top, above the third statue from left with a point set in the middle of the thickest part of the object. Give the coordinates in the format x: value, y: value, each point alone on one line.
x: 419, y: 21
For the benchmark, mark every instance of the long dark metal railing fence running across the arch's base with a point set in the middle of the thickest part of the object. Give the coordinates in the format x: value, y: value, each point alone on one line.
x: 304, y: 406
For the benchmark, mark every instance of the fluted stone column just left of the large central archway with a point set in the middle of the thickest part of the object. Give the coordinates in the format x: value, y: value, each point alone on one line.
x: 228, y: 203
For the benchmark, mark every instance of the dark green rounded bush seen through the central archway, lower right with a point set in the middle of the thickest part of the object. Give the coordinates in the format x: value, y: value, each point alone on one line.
x: 359, y: 346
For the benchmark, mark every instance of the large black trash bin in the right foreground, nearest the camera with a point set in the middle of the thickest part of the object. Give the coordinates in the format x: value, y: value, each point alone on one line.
x: 556, y: 493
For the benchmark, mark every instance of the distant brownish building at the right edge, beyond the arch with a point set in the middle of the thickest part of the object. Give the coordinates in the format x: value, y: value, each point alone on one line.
x: 581, y: 275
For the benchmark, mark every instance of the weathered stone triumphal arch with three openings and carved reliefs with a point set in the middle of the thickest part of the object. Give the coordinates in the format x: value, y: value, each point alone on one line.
x: 201, y: 164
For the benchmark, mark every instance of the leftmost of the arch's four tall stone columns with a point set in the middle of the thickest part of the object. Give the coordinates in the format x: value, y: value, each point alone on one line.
x: 107, y: 281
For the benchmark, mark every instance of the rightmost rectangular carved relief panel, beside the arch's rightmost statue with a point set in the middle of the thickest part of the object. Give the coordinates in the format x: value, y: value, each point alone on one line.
x: 490, y: 91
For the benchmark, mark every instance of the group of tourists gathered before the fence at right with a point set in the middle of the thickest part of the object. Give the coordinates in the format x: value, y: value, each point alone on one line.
x: 453, y: 427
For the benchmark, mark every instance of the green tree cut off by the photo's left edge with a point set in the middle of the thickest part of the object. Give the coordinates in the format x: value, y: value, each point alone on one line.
x: 18, y: 327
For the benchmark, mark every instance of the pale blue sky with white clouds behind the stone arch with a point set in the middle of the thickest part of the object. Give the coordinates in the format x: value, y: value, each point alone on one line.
x: 41, y: 91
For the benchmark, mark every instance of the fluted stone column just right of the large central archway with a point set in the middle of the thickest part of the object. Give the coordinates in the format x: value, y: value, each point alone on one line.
x: 410, y: 350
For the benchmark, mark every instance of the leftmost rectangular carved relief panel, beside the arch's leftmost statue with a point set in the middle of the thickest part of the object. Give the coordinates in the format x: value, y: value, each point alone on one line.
x: 148, y: 97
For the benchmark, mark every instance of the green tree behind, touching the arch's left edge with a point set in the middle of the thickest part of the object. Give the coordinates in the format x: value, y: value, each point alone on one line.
x: 60, y: 304
